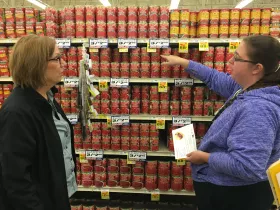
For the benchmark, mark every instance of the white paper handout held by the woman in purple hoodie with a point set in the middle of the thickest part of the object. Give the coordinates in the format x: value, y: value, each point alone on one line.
x: 184, y: 141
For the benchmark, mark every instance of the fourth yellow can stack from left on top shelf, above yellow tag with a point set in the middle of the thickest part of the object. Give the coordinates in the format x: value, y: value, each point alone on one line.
x: 203, y: 23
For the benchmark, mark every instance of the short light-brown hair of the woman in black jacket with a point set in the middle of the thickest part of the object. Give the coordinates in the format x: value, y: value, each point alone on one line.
x: 29, y: 60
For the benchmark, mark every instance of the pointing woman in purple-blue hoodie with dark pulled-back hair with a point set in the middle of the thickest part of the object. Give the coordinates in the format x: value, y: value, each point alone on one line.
x: 229, y: 170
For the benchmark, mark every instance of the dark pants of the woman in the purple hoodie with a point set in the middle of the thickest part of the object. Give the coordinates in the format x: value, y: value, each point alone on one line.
x: 250, y: 197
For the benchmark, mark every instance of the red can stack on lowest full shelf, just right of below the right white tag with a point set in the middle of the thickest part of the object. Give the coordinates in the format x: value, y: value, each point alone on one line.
x: 151, y: 175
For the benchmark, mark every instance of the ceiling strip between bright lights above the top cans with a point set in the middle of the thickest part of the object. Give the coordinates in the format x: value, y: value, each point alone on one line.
x: 190, y: 4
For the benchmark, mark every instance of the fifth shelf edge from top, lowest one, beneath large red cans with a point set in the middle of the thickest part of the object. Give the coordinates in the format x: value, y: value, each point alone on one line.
x: 132, y: 190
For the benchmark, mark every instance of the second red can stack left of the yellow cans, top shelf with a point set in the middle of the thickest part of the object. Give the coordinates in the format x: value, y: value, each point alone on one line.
x: 153, y: 28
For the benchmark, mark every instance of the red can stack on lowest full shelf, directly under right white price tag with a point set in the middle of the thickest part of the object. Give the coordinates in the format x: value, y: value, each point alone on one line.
x: 138, y: 176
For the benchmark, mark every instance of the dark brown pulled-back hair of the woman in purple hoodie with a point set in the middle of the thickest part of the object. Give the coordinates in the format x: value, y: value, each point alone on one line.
x: 266, y: 51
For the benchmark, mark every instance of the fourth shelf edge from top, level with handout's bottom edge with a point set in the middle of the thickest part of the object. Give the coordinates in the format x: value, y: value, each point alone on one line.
x: 163, y: 152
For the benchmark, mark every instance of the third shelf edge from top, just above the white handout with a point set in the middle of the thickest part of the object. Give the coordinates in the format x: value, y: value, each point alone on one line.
x: 155, y: 117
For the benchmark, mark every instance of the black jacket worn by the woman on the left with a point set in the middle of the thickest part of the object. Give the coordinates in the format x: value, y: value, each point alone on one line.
x: 32, y: 172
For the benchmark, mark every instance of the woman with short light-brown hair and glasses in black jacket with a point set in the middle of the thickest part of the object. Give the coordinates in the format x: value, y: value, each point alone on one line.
x: 36, y: 153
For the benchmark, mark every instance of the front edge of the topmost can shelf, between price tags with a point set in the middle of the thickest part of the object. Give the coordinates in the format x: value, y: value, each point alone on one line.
x: 143, y: 41
